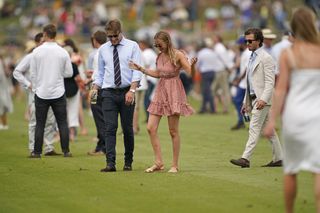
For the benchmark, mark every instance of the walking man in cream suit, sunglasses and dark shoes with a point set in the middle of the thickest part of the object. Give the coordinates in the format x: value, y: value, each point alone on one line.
x: 260, y: 81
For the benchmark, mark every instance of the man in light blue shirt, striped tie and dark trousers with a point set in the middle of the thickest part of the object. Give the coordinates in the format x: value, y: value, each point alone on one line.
x: 118, y: 83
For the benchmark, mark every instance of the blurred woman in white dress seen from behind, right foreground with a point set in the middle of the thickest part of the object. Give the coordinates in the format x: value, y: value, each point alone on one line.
x: 297, y: 98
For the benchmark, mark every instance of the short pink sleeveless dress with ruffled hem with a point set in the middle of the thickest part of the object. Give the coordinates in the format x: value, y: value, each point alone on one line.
x: 169, y: 97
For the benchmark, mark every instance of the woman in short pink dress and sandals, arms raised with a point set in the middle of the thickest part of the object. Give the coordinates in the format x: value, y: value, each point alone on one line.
x: 169, y: 99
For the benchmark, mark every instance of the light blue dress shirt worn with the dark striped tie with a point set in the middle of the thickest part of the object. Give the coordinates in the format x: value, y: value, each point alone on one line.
x: 128, y: 50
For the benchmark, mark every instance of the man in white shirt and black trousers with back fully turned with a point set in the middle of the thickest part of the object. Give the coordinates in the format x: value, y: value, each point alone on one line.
x: 50, y: 64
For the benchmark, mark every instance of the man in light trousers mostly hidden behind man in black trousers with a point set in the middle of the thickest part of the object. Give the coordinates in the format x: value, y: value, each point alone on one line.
x: 22, y: 74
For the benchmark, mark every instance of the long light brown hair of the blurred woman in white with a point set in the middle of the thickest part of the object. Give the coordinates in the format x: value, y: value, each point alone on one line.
x: 303, y: 25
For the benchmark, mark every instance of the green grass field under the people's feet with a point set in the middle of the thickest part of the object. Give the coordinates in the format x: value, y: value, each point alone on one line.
x: 207, y: 182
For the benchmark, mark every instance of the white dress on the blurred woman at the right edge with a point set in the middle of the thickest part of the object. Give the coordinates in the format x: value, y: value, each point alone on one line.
x: 301, y: 122
